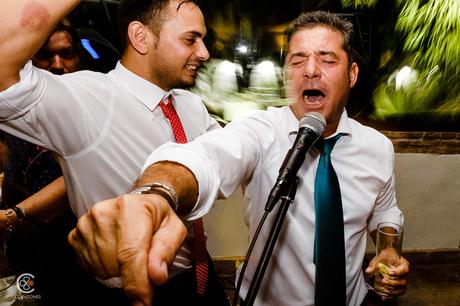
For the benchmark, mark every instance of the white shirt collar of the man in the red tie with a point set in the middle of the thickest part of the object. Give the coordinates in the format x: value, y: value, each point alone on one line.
x: 146, y: 92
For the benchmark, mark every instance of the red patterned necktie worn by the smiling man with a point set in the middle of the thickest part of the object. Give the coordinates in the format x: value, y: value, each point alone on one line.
x: 199, y: 245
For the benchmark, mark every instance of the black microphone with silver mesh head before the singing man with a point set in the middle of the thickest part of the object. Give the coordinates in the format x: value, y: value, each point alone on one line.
x: 311, y: 127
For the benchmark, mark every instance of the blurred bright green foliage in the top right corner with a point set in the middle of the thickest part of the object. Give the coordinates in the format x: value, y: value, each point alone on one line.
x: 430, y: 31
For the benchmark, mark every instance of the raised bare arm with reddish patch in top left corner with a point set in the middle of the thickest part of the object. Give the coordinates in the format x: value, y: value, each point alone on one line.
x: 26, y: 25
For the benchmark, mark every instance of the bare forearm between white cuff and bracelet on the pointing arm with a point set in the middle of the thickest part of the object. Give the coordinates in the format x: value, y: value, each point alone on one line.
x: 176, y: 176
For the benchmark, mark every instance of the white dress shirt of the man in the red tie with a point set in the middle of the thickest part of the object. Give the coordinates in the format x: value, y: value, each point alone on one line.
x: 102, y: 127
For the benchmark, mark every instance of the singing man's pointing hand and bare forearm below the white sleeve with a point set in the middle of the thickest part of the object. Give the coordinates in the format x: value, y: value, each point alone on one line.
x: 137, y: 236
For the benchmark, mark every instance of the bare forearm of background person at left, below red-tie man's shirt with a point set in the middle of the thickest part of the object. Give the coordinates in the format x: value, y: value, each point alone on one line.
x: 47, y: 203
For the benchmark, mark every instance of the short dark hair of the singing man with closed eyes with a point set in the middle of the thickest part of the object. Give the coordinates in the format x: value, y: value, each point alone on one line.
x: 321, y: 18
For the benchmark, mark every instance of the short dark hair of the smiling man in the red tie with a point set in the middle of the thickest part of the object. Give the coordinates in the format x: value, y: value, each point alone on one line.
x: 148, y: 12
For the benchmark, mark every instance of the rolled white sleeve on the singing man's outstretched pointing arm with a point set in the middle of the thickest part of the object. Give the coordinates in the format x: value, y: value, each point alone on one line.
x: 220, y: 160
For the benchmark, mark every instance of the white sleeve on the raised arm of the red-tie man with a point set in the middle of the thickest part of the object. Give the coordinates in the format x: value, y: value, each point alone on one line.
x: 52, y: 110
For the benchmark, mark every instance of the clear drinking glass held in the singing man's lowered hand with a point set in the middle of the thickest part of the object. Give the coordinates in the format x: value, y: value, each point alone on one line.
x: 389, y: 244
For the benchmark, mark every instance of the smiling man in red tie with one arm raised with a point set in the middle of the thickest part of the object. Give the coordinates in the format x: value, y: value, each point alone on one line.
x: 103, y: 126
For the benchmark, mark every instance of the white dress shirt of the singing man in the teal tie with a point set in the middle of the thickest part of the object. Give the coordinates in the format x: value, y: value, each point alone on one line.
x: 250, y: 151
